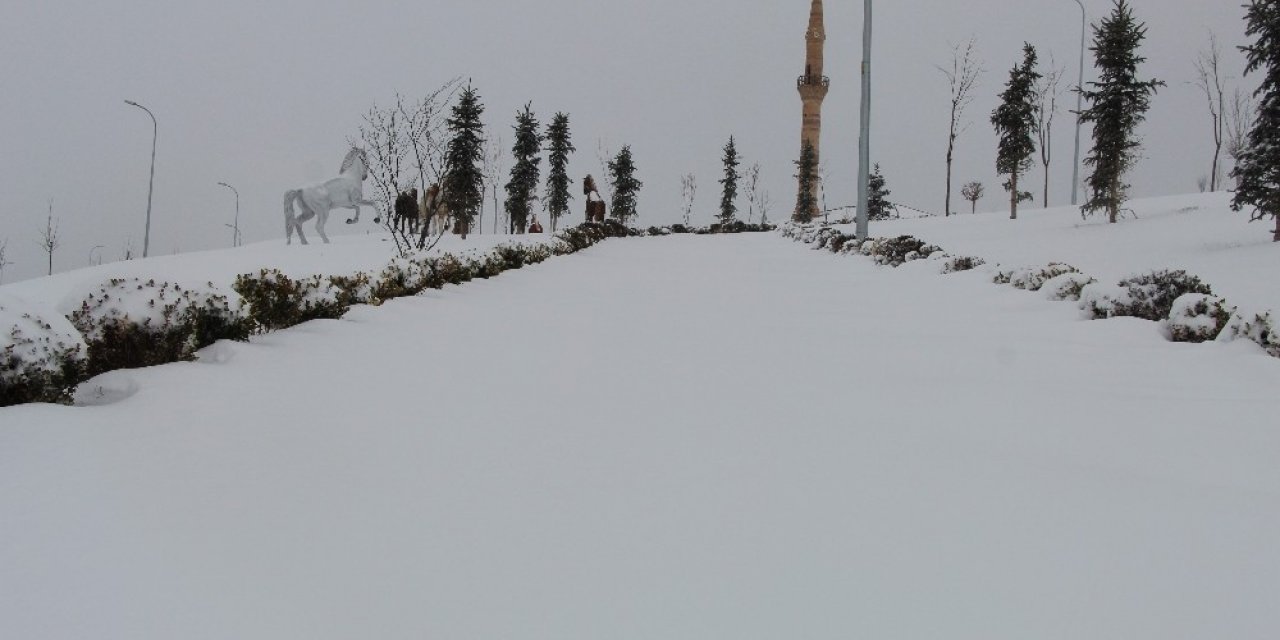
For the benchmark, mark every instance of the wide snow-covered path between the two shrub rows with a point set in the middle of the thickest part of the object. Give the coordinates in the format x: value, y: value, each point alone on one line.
x: 676, y: 438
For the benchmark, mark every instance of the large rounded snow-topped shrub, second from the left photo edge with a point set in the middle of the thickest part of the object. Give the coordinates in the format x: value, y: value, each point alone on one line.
x: 134, y: 323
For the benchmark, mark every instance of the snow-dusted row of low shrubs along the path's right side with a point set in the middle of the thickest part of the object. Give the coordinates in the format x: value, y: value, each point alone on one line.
x: 1183, y: 305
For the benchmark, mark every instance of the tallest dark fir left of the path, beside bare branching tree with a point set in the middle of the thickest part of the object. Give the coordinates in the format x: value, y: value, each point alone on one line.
x: 464, y: 181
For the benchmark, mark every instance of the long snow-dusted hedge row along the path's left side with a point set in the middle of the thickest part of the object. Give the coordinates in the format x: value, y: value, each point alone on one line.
x: 132, y: 323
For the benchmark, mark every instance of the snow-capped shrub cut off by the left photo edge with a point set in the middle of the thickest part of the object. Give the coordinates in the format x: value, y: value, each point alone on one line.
x: 40, y: 360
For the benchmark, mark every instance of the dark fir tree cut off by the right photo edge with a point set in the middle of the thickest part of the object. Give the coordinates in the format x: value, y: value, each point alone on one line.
x: 1258, y: 168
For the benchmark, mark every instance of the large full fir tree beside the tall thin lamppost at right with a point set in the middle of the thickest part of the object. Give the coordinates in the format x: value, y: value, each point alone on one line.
x: 1118, y: 104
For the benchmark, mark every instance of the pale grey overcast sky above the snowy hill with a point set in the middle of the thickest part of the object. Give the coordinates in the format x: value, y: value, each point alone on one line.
x: 263, y: 95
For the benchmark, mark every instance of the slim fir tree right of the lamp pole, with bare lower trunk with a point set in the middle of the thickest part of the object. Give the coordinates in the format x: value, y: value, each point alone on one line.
x: 1017, y: 126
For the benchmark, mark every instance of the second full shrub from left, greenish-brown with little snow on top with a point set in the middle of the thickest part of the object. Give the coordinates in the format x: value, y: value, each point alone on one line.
x: 277, y: 301
